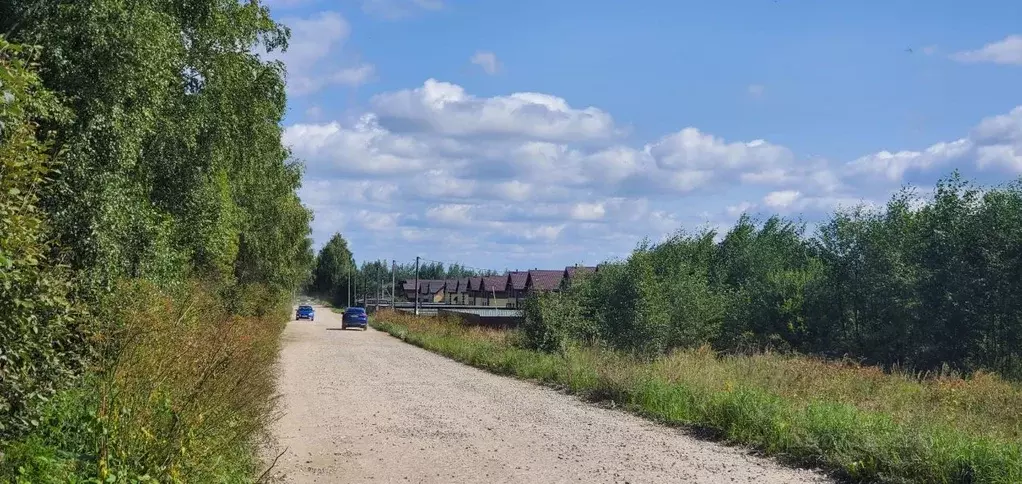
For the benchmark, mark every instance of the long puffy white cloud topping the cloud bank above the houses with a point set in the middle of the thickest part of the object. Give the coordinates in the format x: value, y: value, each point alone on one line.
x: 446, y: 109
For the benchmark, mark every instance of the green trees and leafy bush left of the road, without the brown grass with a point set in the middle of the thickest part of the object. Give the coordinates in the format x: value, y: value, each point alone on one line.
x: 140, y: 141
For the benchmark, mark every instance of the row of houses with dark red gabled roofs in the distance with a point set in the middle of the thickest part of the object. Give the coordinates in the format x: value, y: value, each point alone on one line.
x: 509, y: 291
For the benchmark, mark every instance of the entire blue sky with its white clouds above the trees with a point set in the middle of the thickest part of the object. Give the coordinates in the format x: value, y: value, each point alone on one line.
x: 528, y: 134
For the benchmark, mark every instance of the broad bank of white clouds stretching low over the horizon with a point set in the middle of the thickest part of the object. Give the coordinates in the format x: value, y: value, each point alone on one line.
x: 529, y: 178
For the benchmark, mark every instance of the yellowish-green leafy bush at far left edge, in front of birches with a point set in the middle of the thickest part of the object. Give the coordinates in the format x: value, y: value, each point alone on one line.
x: 37, y: 354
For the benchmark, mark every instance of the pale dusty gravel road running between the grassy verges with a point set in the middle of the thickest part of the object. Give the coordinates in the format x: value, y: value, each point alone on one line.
x: 363, y: 407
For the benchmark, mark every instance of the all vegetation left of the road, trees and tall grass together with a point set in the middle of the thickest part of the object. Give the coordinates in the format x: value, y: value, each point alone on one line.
x: 152, y: 239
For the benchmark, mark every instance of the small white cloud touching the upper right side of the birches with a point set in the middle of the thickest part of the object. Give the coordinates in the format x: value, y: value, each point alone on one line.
x: 312, y: 57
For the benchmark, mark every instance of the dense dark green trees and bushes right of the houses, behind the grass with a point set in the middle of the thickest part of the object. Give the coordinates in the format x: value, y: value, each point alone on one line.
x: 921, y: 285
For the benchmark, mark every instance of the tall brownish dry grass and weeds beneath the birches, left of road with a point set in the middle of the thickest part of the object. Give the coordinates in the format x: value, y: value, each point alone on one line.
x: 183, y: 394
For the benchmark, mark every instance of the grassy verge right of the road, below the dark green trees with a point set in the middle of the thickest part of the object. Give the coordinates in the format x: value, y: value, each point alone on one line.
x: 859, y: 423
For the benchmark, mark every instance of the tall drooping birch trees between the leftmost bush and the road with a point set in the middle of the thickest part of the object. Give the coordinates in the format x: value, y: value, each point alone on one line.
x: 173, y: 163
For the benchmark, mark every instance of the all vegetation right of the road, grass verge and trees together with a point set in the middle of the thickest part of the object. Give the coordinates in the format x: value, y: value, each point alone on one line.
x: 887, y: 346
